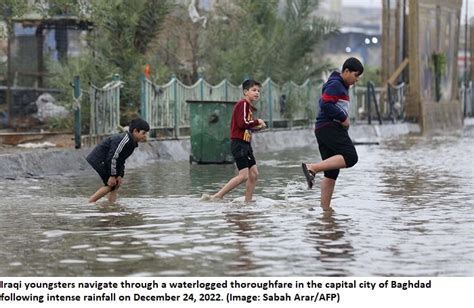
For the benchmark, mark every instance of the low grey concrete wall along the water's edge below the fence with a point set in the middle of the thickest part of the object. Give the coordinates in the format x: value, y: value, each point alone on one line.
x: 42, y: 163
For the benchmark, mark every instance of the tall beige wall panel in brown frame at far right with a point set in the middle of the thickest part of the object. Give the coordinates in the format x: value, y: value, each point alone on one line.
x: 433, y: 30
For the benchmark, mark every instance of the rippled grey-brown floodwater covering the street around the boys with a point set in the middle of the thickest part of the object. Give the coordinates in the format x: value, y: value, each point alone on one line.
x: 406, y: 209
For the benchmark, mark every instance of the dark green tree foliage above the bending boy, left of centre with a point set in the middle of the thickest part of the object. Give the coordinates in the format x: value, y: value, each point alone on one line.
x: 120, y: 44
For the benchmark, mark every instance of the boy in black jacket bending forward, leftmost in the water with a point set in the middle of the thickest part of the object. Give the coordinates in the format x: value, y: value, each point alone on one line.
x: 108, y: 158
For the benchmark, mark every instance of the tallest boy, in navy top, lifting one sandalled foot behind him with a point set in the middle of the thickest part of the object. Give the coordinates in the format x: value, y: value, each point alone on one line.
x: 332, y: 124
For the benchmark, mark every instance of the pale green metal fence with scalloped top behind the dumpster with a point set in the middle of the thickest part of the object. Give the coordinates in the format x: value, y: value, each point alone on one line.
x: 164, y: 106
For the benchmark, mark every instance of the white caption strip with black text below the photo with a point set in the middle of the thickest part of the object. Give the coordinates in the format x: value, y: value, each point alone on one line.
x: 236, y: 292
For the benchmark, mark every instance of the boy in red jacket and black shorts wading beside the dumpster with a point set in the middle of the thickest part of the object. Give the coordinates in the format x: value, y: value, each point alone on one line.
x: 241, y: 128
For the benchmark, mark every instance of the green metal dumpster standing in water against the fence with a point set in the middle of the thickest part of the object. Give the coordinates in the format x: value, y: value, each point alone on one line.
x: 210, y: 129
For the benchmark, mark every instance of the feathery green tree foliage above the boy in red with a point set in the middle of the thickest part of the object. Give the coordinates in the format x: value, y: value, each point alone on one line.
x: 256, y: 38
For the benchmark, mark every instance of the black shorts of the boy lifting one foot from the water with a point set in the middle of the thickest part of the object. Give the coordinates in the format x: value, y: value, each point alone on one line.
x: 334, y: 140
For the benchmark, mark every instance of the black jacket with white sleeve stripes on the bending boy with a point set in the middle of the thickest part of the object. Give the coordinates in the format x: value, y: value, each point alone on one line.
x: 113, y: 151
